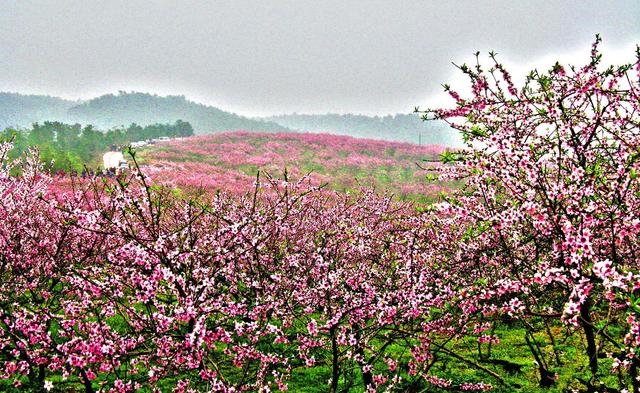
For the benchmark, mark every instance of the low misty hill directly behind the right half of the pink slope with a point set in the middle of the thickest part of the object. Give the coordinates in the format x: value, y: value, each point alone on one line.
x: 401, y: 127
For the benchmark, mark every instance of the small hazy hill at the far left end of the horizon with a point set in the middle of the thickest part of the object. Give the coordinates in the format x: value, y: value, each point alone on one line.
x: 18, y: 110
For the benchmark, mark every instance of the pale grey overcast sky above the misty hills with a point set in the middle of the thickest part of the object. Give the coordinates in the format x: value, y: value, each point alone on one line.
x: 258, y: 58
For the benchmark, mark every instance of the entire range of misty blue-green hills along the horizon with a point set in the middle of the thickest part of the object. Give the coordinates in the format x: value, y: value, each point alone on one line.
x: 122, y: 109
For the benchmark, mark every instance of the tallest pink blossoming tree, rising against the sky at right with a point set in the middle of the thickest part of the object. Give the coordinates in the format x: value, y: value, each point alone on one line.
x: 545, y: 230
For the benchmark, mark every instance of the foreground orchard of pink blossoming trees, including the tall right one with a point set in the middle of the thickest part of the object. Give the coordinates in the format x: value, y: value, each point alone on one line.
x: 524, y: 279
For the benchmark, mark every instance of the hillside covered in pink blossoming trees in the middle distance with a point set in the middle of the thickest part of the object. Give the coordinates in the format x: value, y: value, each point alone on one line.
x: 231, y: 161
